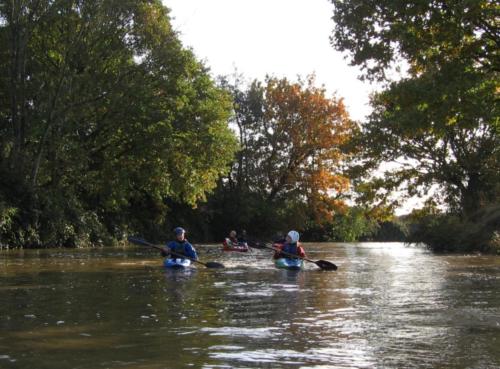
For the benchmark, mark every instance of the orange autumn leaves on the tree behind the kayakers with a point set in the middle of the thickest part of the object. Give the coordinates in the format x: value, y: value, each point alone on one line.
x: 306, y: 130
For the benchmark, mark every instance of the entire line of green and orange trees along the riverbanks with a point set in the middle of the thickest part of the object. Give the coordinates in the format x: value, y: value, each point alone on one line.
x: 110, y: 127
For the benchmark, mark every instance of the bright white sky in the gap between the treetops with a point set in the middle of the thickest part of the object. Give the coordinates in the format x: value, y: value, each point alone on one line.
x: 283, y: 38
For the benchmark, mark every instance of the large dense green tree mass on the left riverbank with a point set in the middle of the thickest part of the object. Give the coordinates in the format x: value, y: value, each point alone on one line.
x: 103, y: 111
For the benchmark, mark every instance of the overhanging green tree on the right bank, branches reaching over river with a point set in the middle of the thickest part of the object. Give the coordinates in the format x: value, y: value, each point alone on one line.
x: 441, y: 121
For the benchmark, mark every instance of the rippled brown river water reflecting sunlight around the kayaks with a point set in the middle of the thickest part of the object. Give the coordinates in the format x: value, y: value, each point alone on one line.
x: 387, y: 306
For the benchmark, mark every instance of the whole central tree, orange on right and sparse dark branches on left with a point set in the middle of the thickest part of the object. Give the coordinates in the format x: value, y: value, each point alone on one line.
x: 292, y: 152
